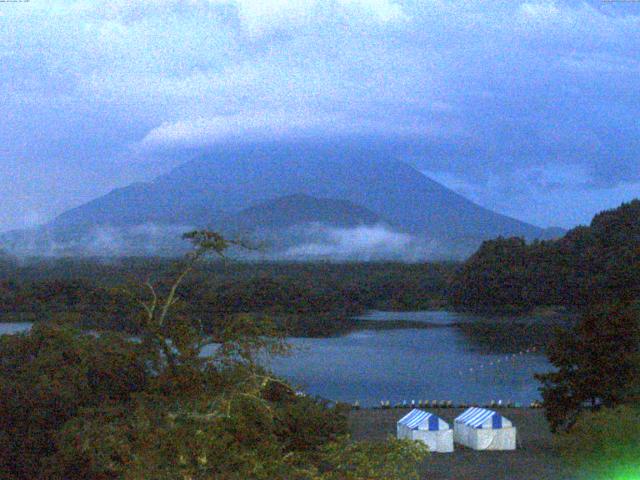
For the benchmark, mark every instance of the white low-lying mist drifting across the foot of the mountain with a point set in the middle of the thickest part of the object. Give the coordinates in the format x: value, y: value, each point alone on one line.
x: 312, y: 241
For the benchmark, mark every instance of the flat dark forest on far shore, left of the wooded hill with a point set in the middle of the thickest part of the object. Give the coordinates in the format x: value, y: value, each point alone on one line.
x: 306, y: 298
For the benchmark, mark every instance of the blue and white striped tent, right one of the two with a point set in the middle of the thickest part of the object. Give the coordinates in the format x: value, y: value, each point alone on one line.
x: 483, y: 429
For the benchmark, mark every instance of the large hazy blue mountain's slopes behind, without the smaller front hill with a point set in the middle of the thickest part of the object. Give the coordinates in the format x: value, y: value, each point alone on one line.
x: 203, y: 191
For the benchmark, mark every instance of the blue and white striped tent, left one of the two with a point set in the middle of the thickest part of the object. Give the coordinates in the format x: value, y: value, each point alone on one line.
x: 428, y: 428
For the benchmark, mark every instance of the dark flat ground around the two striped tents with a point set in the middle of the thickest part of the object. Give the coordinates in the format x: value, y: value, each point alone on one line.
x: 535, y: 458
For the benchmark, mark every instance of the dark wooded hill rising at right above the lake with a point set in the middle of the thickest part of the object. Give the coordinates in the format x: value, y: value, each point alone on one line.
x: 588, y: 266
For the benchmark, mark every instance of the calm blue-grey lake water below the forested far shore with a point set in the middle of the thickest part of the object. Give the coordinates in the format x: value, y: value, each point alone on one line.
x: 441, y: 361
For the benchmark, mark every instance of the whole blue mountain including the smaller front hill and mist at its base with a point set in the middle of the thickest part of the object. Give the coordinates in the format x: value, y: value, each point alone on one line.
x: 356, y: 202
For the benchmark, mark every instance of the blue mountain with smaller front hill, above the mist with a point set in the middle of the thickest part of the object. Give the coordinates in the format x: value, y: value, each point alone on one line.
x: 279, y: 186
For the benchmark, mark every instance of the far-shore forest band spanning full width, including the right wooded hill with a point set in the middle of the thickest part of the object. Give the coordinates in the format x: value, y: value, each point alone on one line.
x: 589, y: 265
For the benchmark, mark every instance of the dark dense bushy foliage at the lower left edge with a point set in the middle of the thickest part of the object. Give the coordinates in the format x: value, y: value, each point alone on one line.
x: 47, y: 377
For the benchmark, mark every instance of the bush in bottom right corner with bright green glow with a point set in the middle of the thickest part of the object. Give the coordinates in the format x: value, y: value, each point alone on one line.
x: 604, y: 444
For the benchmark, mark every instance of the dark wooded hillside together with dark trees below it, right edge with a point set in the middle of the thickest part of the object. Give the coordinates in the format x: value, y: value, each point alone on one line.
x: 595, y: 271
